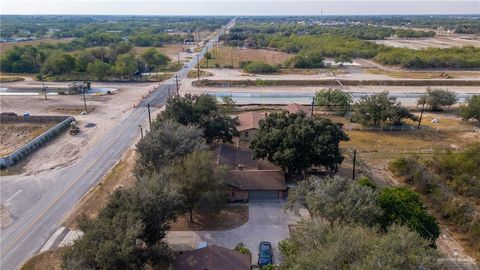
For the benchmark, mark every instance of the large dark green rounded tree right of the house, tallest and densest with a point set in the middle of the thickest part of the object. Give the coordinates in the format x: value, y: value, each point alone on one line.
x: 295, y: 142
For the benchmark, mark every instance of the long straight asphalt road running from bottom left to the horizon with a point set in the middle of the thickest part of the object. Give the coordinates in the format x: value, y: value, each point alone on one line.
x: 40, y: 219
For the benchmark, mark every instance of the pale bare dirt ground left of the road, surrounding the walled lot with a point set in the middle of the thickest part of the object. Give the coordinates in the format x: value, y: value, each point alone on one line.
x: 109, y: 110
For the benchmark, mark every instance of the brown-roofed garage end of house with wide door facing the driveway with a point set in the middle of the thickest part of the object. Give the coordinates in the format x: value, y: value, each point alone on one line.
x: 255, y: 184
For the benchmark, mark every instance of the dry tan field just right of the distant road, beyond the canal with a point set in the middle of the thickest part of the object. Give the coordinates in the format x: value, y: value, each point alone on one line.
x: 228, y: 56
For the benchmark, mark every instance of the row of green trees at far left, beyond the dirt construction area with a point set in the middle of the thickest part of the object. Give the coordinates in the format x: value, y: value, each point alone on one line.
x: 96, y: 63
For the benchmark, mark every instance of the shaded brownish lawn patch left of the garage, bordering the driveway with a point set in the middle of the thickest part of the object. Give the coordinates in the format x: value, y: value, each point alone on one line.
x: 229, y: 217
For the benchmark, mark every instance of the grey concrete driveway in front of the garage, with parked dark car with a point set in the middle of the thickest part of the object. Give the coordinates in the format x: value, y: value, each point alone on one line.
x: 268, y: 221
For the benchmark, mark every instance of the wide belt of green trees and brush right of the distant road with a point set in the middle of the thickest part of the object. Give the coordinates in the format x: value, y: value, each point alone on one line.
x: 311, y: 49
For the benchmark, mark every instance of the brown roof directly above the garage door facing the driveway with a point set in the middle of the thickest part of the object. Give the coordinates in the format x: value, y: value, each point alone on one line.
x: 256, y: 179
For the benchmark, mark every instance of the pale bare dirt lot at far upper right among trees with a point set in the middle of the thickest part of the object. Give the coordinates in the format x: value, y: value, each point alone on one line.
x: 440, y: 41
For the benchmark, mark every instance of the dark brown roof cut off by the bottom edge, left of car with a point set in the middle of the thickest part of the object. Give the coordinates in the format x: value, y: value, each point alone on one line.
x: 212, y: 258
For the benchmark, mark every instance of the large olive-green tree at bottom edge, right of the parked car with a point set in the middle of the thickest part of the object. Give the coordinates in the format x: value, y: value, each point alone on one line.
x: 313, y: 245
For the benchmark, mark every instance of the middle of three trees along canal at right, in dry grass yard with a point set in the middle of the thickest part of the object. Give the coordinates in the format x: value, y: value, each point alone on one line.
x: 380, y: 110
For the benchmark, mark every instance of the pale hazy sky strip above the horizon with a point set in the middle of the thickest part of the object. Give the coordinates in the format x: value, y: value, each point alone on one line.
x: 239, y: 7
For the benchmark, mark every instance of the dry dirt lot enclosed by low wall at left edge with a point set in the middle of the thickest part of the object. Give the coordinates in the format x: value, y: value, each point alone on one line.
x: 14, y: 135
